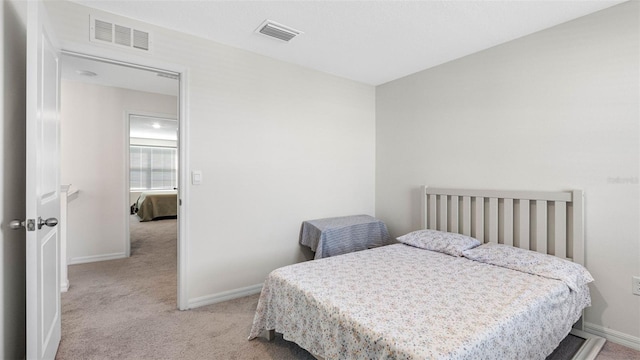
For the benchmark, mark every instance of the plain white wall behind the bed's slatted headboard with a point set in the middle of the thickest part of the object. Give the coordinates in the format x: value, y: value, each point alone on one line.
x: 555, y: 110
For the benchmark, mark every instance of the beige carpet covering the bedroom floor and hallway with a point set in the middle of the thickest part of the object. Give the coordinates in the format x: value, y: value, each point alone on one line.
x: 126, y: 309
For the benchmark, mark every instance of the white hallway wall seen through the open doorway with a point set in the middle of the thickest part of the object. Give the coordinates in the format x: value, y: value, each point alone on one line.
x: 94, y: 133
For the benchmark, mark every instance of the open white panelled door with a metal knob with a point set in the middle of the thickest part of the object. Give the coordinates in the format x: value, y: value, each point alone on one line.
x: 43, y: 187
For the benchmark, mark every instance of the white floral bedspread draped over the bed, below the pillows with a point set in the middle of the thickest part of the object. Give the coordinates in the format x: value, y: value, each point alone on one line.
x: 400, y: 302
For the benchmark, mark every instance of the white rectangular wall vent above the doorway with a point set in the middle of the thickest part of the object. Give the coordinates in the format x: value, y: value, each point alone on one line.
x: 105, y: 31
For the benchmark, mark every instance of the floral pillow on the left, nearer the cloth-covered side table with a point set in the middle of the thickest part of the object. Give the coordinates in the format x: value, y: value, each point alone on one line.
x: 440, y: 241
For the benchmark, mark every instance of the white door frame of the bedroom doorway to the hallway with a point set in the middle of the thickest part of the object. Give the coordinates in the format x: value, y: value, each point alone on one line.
x: 135, y: 61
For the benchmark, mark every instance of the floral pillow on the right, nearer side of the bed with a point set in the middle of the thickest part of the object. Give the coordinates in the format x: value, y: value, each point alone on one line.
x: 531, y: 262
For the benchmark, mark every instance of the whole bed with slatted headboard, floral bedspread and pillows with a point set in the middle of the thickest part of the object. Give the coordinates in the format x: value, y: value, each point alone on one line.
x: 432, y: 300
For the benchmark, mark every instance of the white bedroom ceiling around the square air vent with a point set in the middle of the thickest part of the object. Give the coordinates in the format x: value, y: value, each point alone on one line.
x: 368, y: 41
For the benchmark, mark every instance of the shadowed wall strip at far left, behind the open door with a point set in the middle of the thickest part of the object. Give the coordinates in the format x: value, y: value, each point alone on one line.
x: 12, y: 180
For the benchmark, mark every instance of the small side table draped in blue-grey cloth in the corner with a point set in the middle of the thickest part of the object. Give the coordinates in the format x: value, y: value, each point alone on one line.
x: 341, y: 235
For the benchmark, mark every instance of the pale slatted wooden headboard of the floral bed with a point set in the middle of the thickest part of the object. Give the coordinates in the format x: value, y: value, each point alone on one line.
x: 546, y: 222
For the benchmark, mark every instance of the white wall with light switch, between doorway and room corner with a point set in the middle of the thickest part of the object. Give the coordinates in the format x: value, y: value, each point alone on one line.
x: 276, y: 143
